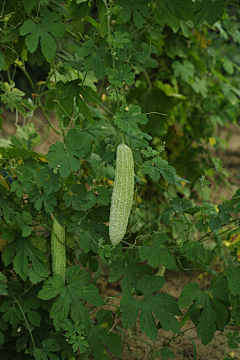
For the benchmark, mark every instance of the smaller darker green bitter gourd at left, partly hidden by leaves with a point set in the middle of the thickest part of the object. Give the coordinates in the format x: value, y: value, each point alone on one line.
x: 58, y: 249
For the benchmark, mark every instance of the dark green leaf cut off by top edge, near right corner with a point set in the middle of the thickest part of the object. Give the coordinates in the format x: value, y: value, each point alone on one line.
x: 209, y: 10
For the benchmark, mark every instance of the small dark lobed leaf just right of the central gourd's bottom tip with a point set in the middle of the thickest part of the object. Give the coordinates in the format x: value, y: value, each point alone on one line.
x: 158, y: 253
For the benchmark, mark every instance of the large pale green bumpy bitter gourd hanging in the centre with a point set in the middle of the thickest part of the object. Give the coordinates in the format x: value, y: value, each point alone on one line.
x: 122, y: 196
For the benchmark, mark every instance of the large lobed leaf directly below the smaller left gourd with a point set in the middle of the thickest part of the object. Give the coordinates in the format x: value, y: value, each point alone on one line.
x: 68, y: 302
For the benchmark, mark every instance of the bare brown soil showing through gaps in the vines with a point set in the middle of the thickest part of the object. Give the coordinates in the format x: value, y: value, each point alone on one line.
x: 175, y: 282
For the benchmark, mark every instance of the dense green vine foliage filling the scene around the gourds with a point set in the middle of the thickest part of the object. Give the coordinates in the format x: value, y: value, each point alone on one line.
x: 159, y: 76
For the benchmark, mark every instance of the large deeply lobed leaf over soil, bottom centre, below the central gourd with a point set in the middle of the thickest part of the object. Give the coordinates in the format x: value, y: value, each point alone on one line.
x: 162, y: 305
